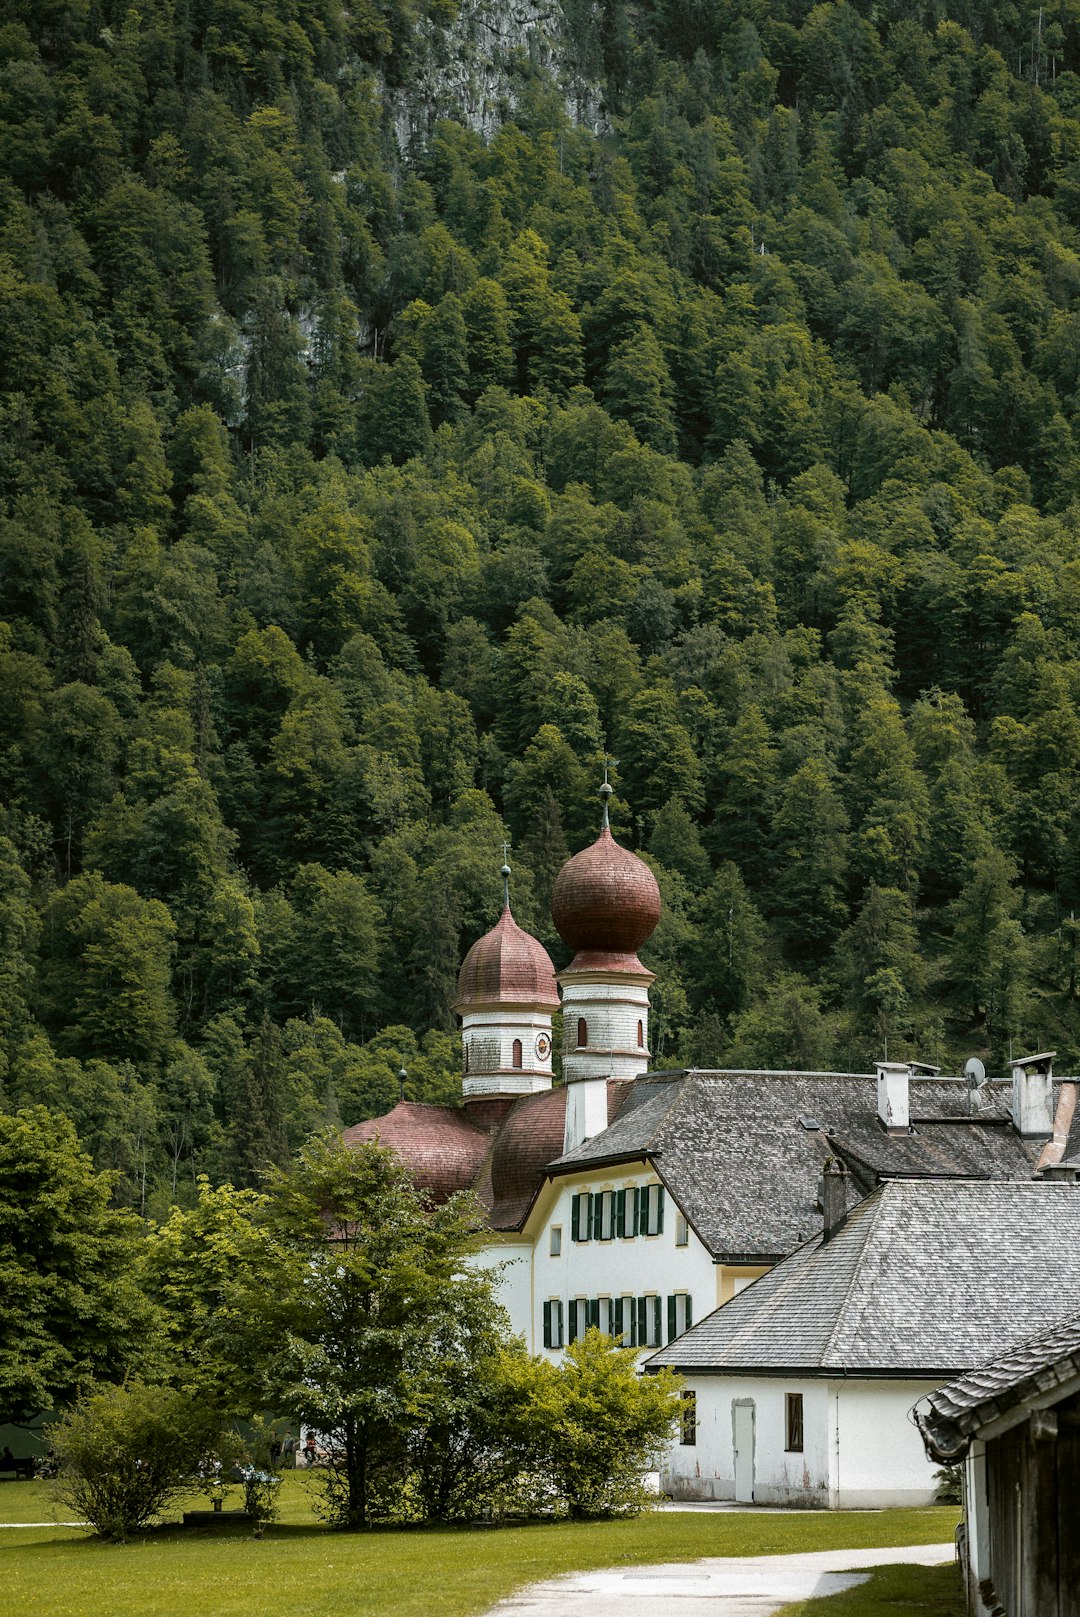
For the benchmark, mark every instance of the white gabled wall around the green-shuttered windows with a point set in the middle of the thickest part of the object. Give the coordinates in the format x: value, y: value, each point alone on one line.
x: 635, y: 1267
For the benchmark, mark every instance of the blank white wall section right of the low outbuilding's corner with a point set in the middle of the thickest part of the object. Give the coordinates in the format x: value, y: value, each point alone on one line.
x: 882, y: 1456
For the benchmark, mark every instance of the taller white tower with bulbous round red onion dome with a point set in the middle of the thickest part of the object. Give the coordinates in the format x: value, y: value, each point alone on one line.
x: 605, y: 906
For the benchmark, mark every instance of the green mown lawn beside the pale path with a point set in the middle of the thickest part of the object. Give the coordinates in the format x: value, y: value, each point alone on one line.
x: 308, y: 1573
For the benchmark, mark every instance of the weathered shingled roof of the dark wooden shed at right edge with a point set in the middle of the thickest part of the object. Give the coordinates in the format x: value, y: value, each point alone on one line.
x: 1034, y: 1370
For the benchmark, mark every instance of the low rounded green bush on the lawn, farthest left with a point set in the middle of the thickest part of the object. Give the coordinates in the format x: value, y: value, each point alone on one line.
x: 127, y: 1453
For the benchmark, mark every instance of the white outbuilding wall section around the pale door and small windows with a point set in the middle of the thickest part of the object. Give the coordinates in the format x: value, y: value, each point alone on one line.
x: 707, y: 1471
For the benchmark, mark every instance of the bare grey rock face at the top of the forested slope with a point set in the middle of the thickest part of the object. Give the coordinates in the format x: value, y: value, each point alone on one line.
x: 475, y: 69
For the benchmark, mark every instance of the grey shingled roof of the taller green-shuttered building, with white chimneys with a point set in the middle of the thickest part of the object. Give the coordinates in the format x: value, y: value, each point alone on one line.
x: 738, y: 1160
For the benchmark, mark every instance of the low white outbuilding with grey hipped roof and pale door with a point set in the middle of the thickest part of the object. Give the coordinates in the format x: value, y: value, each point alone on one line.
x: 801, y: 1390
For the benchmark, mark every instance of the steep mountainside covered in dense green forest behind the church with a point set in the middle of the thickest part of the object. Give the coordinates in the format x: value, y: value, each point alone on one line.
x: 374, y: 467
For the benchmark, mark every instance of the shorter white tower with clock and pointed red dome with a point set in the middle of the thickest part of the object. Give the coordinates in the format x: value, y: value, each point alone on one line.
x: 507, y: 994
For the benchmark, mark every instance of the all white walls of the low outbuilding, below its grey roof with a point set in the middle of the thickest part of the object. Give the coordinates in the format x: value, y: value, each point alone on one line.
x: 861, y: 1450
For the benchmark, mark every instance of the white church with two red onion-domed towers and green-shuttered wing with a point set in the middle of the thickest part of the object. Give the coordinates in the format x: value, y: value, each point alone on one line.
x: 639, y: 1201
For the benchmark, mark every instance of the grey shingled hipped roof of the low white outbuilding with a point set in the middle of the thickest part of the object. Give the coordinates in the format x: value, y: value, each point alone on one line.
x: 921, y: 1281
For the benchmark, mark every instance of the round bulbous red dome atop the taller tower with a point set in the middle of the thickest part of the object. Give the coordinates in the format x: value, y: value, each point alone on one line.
x: 605, y: 901
